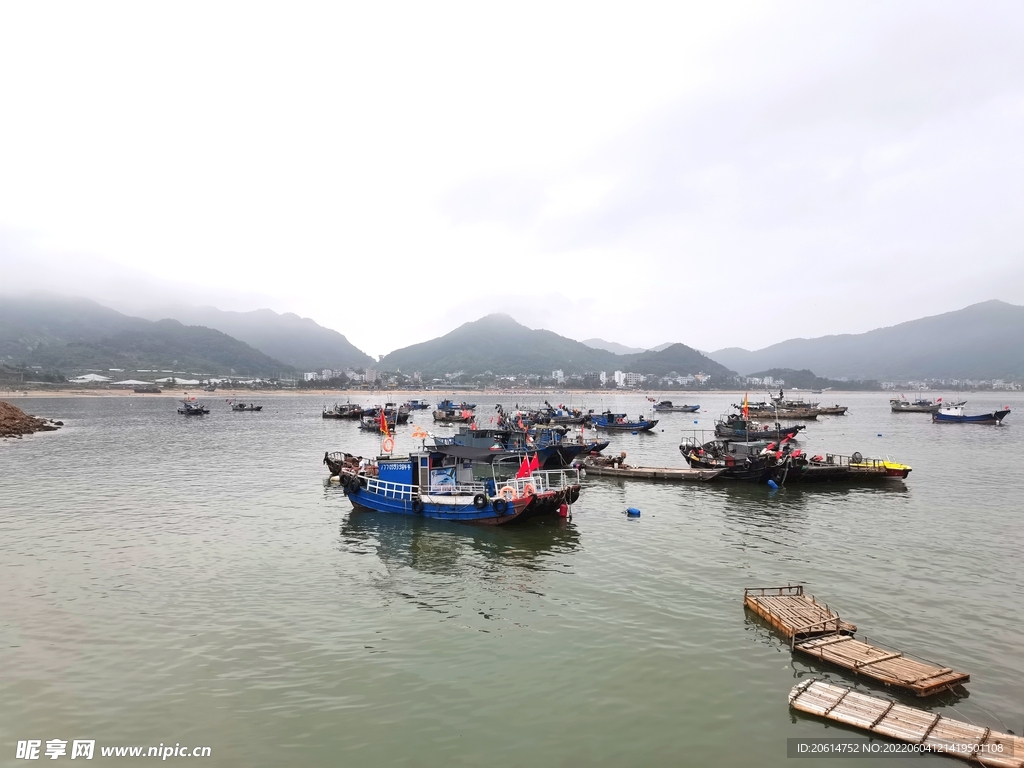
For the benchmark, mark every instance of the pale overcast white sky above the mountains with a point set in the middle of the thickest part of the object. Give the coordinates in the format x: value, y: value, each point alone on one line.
x: 720, y: 175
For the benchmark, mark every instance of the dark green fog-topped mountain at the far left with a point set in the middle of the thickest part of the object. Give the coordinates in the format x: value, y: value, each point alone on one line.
x: 72, y: 334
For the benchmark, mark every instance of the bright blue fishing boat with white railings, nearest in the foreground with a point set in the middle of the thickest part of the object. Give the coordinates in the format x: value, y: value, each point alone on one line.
x: 443, y: 486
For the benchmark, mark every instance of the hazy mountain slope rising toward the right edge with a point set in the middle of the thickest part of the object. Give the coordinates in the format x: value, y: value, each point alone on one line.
x: 983, y: 342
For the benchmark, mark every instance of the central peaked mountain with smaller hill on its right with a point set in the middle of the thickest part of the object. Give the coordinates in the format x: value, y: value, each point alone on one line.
x: 499, y: 345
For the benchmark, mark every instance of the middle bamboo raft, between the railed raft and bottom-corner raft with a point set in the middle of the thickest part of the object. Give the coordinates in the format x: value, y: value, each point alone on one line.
x: 888, y: 667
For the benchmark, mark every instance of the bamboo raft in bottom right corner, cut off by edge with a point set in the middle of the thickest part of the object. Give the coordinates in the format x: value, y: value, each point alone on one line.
x: 905, y: 723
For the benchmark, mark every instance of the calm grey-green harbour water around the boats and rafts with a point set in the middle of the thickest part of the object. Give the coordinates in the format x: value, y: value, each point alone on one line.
x: 174, y: 580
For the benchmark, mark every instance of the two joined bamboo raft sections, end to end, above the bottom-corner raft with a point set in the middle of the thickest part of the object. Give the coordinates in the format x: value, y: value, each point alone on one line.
x: 818, y: 631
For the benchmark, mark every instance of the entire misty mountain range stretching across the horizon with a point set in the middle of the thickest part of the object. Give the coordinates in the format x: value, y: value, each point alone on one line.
x: 983, y: 342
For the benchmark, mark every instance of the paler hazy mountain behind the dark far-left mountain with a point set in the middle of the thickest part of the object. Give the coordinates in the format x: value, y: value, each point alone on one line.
x: 296, y: 342
